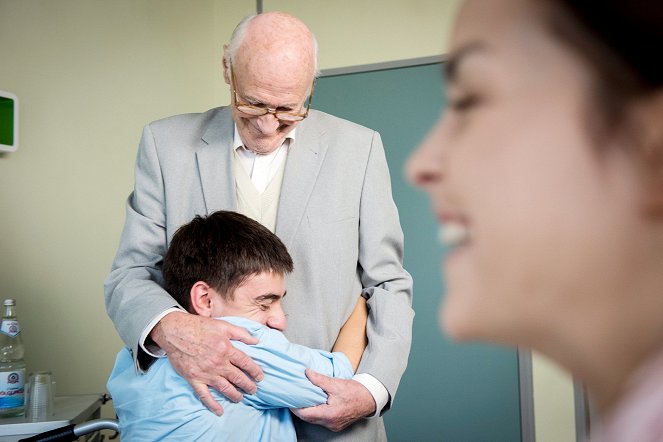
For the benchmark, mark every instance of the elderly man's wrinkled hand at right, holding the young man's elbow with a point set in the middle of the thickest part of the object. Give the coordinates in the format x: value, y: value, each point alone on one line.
x: 348, y: 402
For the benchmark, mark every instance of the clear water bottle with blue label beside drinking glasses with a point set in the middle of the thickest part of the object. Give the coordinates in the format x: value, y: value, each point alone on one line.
x: 12, y: 365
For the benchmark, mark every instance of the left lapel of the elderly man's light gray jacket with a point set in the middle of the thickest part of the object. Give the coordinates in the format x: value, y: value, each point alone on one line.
x: 215, y: 163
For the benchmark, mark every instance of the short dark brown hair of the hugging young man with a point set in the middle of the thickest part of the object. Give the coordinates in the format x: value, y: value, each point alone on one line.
x: 221, y: 249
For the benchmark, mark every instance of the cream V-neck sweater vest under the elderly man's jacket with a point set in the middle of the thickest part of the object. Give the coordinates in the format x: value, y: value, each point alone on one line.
x: 260, y: 207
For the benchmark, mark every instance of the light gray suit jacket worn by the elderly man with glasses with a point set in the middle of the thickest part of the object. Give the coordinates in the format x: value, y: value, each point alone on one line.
x: 336, y: 216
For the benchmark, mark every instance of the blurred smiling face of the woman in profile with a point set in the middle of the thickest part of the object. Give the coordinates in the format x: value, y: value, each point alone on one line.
x: 542, y: 222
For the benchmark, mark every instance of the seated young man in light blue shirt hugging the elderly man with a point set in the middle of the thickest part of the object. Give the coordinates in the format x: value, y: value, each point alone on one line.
x: 231, y: 267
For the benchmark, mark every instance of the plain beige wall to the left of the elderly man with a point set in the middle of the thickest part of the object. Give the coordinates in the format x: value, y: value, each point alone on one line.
x: 89, y: 75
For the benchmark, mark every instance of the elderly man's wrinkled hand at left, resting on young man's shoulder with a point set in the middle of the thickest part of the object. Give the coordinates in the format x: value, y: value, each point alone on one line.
x: 200, y: 350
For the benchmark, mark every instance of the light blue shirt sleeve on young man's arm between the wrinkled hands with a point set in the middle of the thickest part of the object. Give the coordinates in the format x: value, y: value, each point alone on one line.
x: 284, y: 365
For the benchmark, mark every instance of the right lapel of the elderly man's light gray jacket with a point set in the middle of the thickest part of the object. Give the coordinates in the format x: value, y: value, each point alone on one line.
x: 302, y: 167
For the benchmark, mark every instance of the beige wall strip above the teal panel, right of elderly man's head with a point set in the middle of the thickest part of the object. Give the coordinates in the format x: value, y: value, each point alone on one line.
x: 359, y: 32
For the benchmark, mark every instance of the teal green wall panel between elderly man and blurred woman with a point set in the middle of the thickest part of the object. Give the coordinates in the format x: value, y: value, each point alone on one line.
x: 450, y: 392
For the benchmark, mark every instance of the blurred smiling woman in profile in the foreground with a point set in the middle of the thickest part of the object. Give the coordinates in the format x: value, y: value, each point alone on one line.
x: 546, y: 175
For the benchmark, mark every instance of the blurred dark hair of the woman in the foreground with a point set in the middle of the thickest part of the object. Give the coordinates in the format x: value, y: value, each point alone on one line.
x: 621, y: 41
